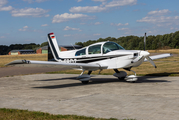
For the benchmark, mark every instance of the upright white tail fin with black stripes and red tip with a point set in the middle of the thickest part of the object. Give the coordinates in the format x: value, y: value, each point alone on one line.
x: 53, y: 46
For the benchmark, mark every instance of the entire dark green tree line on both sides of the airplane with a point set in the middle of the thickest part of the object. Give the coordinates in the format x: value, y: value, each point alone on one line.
x: 166, y: 41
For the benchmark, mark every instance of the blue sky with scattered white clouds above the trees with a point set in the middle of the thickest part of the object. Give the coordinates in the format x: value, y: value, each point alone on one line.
x: 29, y: 21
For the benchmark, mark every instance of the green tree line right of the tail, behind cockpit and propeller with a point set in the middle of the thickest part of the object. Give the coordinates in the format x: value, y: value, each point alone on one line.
x: 166, y: 41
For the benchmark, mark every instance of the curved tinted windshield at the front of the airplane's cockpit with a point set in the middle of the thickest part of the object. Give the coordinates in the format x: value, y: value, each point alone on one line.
x: 111, y: 46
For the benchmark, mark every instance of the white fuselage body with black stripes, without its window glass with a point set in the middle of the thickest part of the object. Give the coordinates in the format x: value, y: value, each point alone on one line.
x: 113, y: 59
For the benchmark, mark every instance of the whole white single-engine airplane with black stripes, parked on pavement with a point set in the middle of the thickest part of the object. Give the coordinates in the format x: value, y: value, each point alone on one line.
x: 98, y: 56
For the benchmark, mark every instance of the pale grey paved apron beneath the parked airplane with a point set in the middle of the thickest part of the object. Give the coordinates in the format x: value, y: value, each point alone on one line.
x: 150, y: 98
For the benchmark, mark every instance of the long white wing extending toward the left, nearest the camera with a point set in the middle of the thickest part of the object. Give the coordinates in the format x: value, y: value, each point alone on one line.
x: 69, y: 65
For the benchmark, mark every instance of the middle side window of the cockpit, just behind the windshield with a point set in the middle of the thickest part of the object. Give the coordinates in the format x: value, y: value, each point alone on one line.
x: 95, y: 49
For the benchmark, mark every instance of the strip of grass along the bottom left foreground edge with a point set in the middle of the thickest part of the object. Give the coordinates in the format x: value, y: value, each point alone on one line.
x: 14, y: 114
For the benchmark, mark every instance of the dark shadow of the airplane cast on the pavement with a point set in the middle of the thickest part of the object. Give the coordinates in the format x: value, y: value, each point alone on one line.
x: 143, y: 79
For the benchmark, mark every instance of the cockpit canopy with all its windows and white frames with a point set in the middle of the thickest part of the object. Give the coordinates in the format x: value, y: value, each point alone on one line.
x: 99, y: 48
